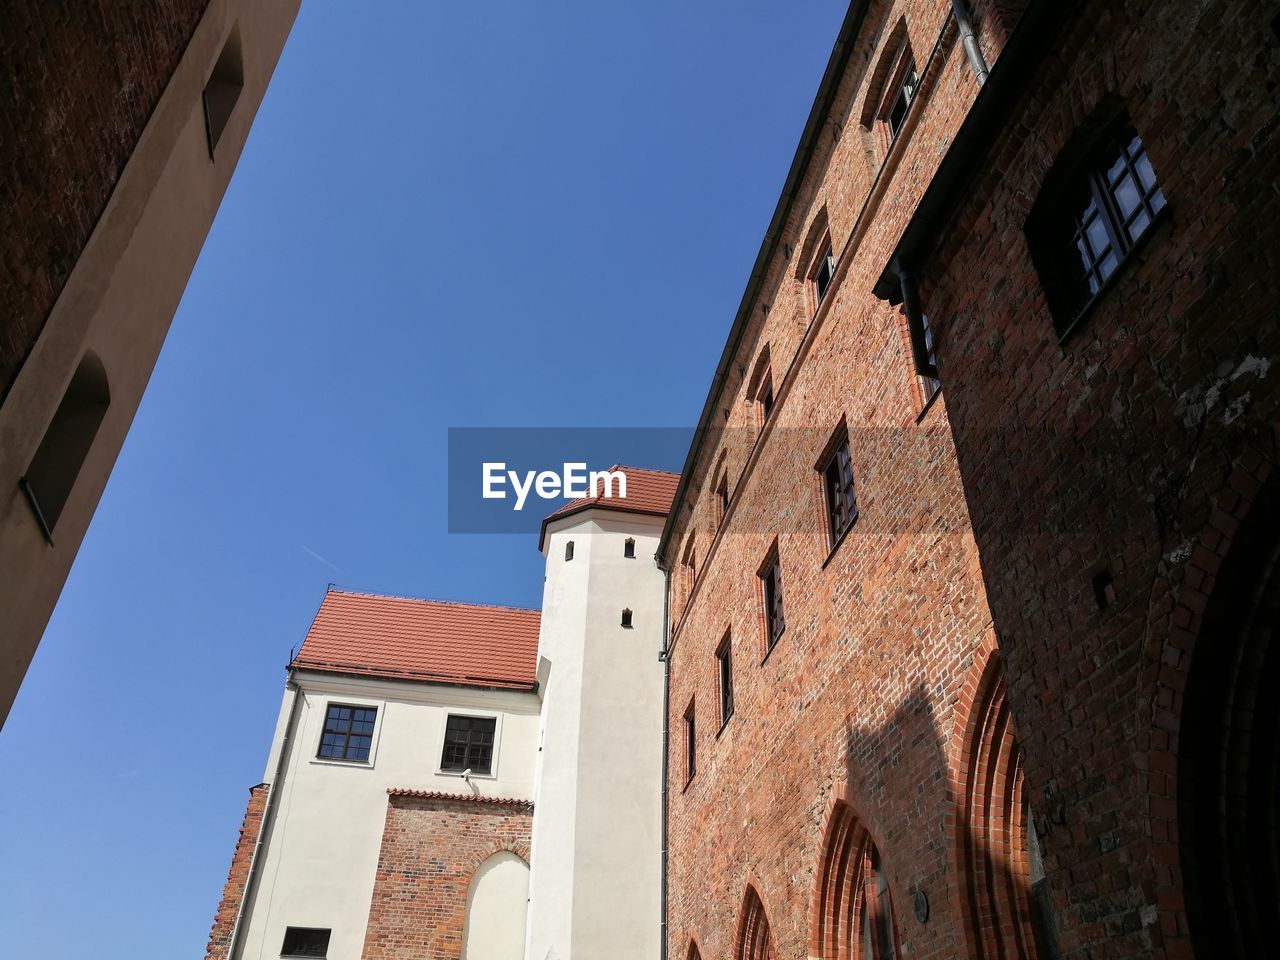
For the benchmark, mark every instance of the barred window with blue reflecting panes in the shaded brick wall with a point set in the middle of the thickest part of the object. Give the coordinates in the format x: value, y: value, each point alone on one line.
x: 1109, y: 212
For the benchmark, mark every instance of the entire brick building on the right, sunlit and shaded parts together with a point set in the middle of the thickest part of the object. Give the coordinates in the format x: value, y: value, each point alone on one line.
x: 990, y: 447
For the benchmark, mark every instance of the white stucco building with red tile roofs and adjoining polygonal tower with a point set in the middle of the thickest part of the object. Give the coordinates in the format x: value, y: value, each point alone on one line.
x: 464, y: 781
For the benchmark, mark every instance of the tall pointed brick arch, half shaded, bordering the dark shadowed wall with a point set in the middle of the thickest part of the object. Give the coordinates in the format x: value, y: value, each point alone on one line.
x: 989, y: 826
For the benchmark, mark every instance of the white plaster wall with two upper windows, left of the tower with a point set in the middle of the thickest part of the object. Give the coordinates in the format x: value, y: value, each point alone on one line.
x: 322, y: 856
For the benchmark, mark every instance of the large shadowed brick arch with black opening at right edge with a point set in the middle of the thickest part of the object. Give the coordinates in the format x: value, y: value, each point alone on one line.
x: 1215, y: 829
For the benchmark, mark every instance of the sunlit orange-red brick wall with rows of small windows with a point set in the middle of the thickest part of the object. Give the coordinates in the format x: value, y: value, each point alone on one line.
x: 862, y: 694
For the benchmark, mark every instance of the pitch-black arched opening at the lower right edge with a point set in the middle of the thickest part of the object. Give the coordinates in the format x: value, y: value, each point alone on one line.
x: 1229, y: 760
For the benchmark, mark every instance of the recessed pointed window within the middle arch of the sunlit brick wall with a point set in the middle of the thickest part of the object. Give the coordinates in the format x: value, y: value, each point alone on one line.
x: 856, y: 911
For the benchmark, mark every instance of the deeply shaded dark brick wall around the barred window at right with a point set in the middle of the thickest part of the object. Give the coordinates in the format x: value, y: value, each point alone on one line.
x: 1132, y: 446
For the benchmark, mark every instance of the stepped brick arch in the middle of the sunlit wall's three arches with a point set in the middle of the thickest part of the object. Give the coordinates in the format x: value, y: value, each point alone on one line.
x: 843, y: 884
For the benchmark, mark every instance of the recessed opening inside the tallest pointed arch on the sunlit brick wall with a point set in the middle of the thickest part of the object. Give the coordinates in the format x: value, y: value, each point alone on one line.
x: 1003, y: 877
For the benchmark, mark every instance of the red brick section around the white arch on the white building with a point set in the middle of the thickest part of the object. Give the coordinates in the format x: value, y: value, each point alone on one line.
x: 432, y: 847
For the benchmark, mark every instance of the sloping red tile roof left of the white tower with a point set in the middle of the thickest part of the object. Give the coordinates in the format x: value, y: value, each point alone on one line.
x: 427, y: 641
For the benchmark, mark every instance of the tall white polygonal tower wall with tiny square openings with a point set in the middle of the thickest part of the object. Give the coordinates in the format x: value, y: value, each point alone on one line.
x: 596, y: 883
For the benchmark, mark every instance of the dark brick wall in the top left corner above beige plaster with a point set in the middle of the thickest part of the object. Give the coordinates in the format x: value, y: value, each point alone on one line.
x: 79, y: 83
